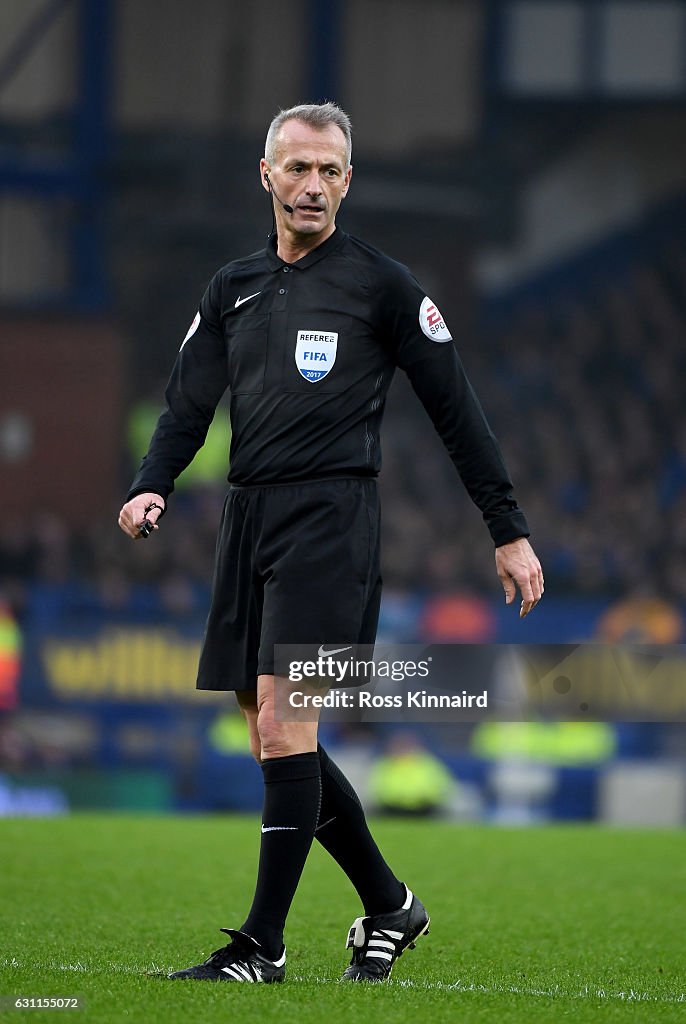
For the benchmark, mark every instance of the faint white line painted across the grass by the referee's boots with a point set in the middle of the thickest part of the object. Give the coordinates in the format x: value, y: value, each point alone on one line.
x: 588, y: 993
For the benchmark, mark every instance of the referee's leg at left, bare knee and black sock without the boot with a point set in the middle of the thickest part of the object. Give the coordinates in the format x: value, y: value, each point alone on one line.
x: 288, y: 754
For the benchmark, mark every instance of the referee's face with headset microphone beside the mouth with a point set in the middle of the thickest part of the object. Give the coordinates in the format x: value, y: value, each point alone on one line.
x: 310, y: 174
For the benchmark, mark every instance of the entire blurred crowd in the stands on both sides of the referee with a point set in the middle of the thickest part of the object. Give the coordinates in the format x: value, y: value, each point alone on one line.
x: 587, y: 401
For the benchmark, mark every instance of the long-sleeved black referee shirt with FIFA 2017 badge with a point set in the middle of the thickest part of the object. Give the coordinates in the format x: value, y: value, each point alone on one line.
x: 309, y: 351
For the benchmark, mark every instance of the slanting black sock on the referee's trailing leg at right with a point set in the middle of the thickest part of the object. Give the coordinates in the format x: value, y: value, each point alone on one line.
x: 342, y: 831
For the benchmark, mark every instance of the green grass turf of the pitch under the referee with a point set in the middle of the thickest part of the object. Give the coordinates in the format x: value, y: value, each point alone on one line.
x: 528, y: 926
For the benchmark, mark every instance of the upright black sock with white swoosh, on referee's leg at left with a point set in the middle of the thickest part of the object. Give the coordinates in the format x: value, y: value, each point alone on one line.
x: 292, y: 797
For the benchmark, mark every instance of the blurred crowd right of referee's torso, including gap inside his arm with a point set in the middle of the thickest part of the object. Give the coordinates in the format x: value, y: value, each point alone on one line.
x: 588, y: 403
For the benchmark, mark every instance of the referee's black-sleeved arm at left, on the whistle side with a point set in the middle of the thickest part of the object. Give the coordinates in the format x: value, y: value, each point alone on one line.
x: 198, y: 381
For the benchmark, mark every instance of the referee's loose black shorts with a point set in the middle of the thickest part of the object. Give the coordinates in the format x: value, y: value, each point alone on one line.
x: 295, y: 565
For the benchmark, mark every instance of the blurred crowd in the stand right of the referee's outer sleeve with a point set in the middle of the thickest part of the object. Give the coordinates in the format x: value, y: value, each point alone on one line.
x: 590, y: 406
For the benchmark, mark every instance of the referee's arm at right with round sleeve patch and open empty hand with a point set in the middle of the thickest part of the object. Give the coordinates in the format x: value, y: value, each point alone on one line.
x: 424, y: 349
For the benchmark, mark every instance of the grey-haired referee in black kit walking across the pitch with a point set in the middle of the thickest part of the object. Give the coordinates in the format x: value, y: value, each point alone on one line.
x: 307, y: 334
